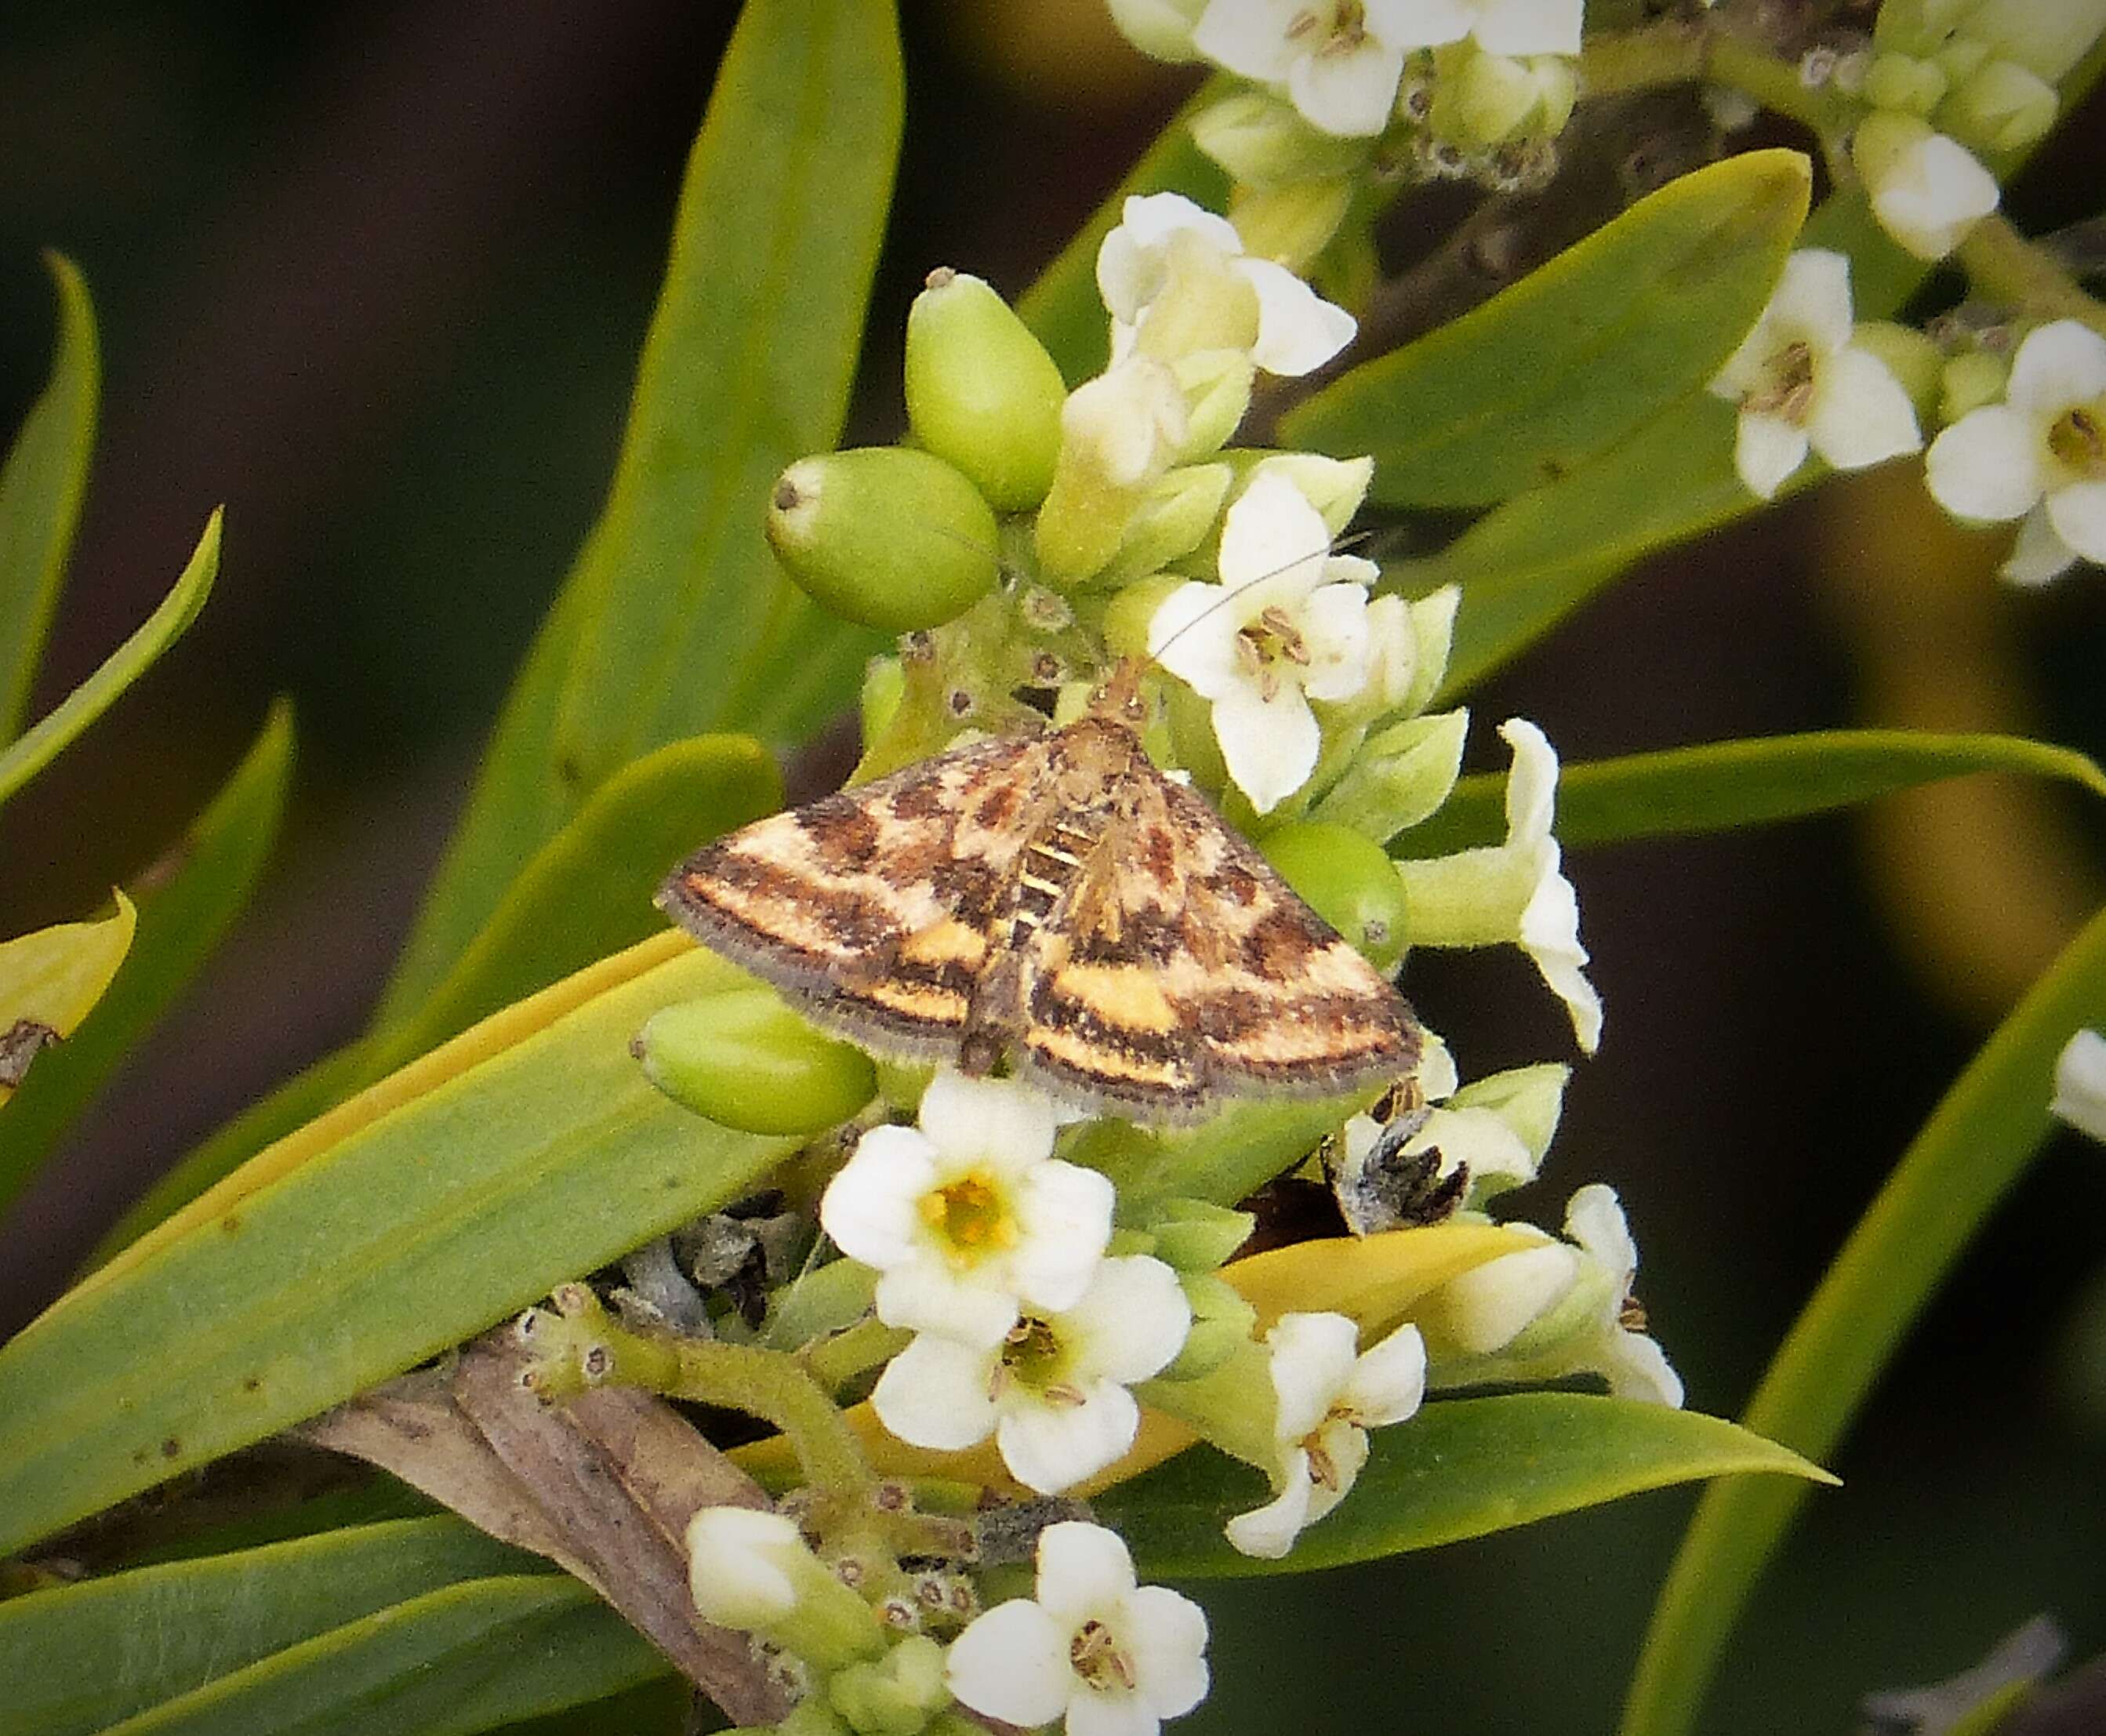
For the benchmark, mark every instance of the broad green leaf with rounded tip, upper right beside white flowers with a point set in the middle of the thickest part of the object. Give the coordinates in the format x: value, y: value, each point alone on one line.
x: 1578, y: 355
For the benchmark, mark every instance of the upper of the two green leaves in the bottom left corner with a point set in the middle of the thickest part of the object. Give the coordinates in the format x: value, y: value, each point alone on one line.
x: 121, y: 1644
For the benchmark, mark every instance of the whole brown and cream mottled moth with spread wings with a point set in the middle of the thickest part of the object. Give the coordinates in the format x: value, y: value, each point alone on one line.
x: 1058, y: 905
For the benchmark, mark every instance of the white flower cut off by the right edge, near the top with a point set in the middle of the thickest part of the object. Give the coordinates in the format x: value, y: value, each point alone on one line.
x: 2038, y: 456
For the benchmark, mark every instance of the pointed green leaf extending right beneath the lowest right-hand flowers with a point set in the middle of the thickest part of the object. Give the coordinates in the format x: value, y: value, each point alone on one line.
x: 1458, y: 1469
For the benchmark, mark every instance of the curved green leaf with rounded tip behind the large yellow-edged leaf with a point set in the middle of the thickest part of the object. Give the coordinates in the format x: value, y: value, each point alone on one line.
x: 582, y: 896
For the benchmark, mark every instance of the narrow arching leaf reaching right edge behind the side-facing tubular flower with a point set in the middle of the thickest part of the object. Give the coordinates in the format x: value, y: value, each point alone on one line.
x: 1753, y: 783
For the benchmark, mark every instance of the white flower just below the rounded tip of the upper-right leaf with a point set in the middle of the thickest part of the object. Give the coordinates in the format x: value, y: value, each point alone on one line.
x: 1800, y: 382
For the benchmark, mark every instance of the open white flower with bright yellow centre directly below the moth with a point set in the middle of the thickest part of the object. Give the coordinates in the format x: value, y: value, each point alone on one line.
x: 970, y: 1215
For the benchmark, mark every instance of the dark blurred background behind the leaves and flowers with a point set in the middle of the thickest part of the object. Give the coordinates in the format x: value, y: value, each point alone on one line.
x: 376, y: 275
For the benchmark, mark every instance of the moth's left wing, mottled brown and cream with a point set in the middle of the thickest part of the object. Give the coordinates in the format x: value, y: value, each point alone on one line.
x: 875, y: 907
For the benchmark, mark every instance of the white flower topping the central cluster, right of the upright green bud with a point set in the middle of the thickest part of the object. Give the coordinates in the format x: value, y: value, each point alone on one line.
x: 1174, y: 256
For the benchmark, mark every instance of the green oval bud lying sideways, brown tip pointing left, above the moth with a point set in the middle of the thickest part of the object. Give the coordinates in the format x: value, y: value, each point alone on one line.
x: 886, y: 536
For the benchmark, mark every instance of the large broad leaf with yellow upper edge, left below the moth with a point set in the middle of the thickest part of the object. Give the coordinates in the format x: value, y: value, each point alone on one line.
x: 435, y: 1204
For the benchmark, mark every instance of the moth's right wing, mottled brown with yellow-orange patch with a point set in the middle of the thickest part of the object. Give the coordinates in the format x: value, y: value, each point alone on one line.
x: 1185, y: 970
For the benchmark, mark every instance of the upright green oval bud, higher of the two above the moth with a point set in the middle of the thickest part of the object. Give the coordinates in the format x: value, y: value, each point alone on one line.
x: 982, y: 393
